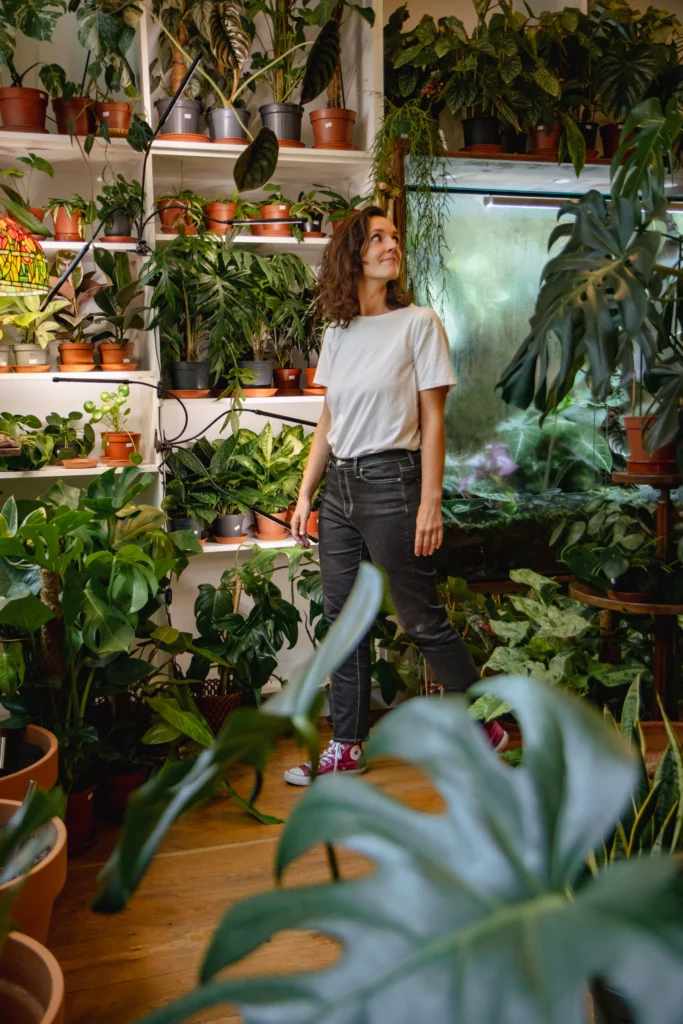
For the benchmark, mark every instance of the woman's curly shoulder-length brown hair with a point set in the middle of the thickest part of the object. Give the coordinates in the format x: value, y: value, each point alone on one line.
x: 343, y: 267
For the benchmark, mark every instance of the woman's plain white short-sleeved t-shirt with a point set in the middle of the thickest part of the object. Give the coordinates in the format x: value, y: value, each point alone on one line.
x: 373, y: 371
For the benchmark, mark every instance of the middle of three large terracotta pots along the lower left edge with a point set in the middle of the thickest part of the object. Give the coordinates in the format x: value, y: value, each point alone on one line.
x: 33, y: 909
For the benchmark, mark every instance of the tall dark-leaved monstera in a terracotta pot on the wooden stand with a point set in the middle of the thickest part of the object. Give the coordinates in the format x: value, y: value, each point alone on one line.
x: 608, y: 301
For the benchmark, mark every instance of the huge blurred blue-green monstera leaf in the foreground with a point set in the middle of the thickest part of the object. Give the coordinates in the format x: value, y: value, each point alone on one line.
x: 469, y: 915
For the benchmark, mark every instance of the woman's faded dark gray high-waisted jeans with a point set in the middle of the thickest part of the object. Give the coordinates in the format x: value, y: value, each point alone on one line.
x: 369, y: 513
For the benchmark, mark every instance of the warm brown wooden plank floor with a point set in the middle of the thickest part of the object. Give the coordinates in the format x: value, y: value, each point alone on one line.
x: 119, y: 968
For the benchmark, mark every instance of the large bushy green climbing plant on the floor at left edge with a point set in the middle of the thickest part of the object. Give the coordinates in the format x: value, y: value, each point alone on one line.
x: 82, y: 576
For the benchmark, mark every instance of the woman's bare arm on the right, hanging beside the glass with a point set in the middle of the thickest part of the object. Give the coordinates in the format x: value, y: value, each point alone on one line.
x: 430, y: 530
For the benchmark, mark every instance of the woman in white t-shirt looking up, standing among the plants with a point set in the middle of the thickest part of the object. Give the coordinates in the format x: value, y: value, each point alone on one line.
x: 381, y: 441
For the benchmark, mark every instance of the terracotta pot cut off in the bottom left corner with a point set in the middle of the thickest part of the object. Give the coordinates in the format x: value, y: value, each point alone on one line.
x: 32, y: 986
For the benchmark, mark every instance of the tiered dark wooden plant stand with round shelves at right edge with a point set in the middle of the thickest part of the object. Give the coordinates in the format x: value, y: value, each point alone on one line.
x: 664, y: 659
